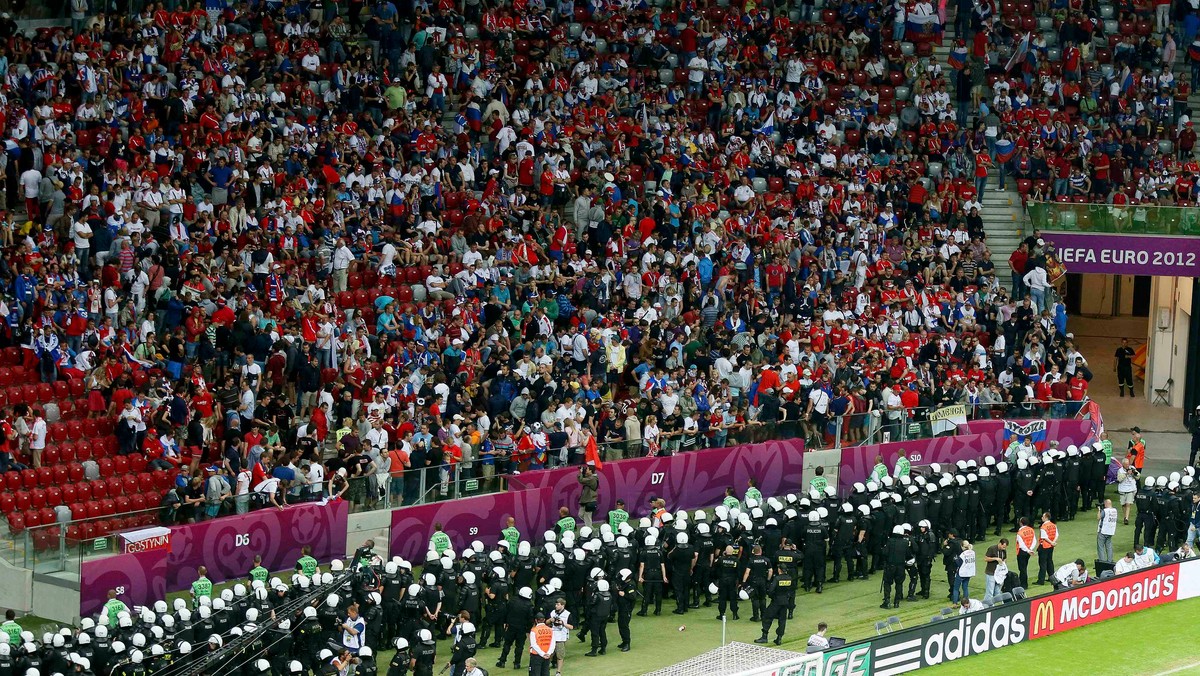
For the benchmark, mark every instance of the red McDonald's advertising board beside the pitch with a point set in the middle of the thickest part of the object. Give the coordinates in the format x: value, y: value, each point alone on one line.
x: 1105, y: 601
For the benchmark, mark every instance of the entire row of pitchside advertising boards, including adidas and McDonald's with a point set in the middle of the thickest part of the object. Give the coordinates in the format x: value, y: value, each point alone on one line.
x: 1003, y: 626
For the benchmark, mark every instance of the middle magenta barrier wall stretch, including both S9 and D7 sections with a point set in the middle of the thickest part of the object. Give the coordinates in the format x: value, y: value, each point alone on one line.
x: 688, y: 481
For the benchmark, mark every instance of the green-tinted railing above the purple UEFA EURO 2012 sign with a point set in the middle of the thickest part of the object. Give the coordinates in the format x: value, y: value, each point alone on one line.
x: 1136, y: 219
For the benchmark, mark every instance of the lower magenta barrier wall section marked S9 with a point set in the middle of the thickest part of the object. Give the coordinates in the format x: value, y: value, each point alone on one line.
x: 471, y: 519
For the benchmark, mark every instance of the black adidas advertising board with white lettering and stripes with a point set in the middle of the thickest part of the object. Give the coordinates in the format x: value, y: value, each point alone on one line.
x: 951, y: 639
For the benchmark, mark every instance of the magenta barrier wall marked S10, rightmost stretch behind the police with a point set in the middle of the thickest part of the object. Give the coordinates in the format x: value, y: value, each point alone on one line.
x: 976, y: 441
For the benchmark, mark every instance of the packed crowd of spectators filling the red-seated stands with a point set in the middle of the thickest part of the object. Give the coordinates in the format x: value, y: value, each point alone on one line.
x: 361, y: 252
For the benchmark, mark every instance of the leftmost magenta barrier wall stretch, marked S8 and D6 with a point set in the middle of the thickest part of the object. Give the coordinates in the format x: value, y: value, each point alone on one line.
x: 226, y: 547
